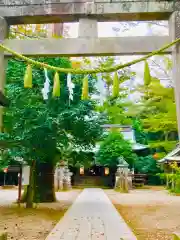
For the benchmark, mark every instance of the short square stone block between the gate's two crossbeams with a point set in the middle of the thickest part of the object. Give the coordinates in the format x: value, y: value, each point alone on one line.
x: 87, y: 28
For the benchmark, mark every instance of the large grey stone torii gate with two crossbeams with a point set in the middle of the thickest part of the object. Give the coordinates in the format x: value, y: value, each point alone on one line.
x: 14, y: 12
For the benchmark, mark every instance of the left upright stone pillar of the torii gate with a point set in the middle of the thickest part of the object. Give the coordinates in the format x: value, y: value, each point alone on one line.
x: 4, y: 31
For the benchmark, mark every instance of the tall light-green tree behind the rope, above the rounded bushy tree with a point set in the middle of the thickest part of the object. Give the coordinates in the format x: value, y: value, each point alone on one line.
x: 115, y: 108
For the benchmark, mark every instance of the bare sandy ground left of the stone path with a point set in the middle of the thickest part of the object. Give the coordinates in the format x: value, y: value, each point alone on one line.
x: 27, y: 224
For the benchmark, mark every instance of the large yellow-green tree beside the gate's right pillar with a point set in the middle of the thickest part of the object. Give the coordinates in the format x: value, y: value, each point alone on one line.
x: 157, y: 112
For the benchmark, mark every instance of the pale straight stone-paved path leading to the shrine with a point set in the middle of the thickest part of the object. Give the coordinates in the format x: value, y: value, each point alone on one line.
x: 92, y: 217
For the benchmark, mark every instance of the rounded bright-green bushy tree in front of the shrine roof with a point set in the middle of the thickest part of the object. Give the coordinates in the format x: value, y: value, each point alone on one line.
x: 114, y: 146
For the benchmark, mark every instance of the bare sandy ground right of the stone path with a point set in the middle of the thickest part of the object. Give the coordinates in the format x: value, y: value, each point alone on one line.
x: 153, y: 214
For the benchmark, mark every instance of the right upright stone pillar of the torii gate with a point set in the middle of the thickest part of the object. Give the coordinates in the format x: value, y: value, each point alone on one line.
x: 174, y: 30
